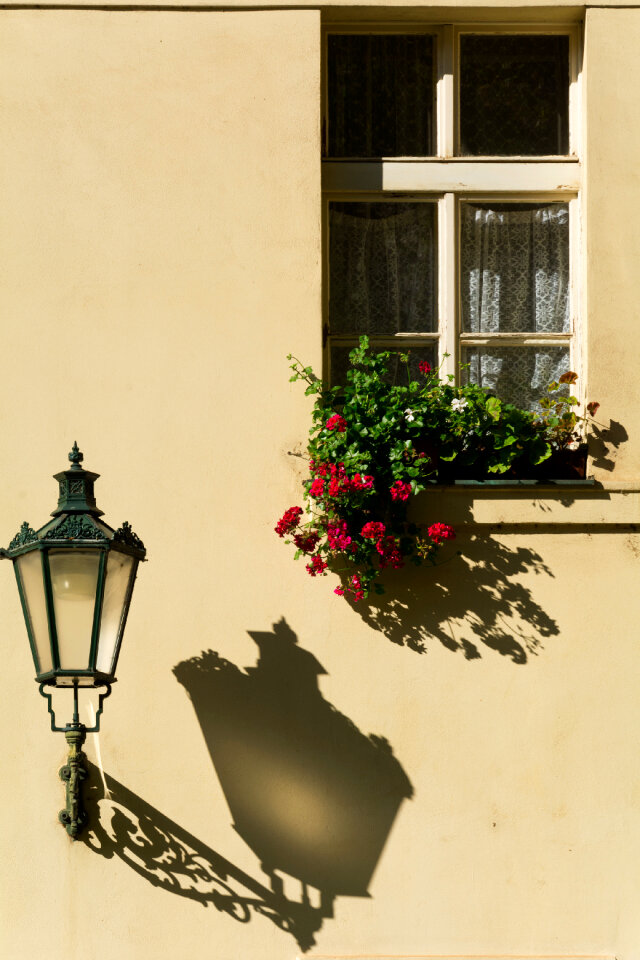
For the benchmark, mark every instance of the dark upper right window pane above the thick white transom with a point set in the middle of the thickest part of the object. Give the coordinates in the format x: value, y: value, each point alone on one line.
x: 514, y: 95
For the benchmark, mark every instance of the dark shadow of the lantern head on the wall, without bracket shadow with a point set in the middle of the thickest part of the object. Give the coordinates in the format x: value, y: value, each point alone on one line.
x: 310, y: 794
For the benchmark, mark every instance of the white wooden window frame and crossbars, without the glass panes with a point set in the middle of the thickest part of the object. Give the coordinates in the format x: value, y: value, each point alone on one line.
x: 451, y: 179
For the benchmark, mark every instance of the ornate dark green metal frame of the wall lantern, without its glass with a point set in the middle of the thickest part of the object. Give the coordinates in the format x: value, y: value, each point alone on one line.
x: 76, y: 526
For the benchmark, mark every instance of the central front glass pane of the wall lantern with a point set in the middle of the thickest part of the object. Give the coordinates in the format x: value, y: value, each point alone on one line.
x: 74, y: 579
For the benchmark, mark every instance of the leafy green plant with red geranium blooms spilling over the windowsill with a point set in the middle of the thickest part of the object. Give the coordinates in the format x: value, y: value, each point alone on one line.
x: 373, y: 445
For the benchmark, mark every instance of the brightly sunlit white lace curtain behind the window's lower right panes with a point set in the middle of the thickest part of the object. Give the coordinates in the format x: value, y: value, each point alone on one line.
x: 515, y: 279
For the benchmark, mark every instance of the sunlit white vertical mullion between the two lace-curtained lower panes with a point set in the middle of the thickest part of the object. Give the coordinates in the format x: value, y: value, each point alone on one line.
x: 447, y: 286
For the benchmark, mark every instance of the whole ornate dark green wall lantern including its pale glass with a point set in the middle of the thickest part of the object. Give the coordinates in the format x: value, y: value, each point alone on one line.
x: 75, y: 578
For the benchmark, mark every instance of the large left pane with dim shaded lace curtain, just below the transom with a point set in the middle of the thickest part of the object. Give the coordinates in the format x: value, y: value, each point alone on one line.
x: 382, y: 275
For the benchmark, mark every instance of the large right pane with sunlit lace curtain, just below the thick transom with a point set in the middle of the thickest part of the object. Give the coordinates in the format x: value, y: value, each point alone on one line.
x: 515, y: 268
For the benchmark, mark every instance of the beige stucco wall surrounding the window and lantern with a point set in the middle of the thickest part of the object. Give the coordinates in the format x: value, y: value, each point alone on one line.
x: 159, y: 257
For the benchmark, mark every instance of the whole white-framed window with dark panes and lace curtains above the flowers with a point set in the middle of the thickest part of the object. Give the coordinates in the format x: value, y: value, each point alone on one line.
x: 451, y: 182
